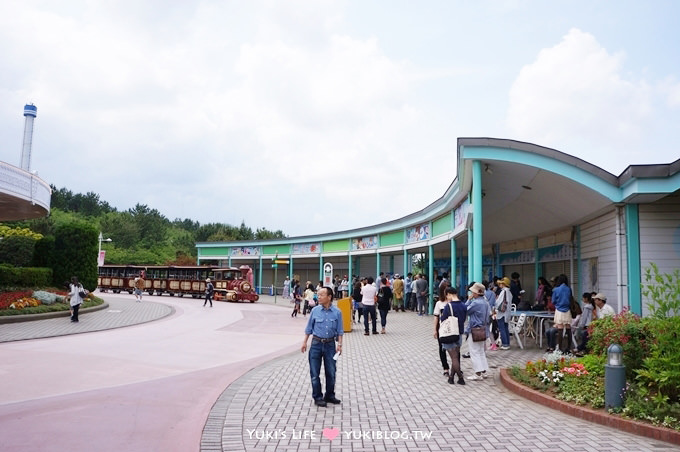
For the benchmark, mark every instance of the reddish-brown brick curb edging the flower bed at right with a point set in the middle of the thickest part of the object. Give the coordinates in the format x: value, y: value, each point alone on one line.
x: 588, y: 414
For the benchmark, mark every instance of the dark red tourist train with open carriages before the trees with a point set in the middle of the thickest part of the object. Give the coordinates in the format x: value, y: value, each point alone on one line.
x: 231, y: 283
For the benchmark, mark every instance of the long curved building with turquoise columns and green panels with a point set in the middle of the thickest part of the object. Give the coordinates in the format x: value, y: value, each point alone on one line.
x: 512, y: 207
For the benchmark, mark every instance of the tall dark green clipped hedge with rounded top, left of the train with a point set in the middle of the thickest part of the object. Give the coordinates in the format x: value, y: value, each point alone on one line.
x: 75, y: 251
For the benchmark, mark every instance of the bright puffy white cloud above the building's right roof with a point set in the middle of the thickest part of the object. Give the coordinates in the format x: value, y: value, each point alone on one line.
x: 574, y: 95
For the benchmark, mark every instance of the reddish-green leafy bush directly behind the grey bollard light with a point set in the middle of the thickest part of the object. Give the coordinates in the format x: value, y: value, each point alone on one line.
x: 626, y: 329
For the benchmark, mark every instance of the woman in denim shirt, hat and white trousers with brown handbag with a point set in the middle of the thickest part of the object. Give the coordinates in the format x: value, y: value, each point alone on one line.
x: 478, y: 312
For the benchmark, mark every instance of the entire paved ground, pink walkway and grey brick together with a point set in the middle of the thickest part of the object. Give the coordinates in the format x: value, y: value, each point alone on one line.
x: 233, y: 379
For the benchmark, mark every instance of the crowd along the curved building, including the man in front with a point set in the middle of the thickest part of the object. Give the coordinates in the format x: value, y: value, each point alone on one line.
x: 482, y: 317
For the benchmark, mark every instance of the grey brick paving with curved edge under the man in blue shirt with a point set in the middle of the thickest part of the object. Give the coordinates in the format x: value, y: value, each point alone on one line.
x: 394, y: 398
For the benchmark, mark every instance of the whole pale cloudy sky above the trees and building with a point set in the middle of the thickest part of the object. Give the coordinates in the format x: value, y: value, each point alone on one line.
x: 319, y: 116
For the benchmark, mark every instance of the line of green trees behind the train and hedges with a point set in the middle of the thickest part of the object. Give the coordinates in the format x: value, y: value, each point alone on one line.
x: 140, y: 235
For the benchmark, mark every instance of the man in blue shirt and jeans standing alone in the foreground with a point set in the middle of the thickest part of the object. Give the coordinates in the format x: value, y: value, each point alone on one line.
x: 325, y: 327
